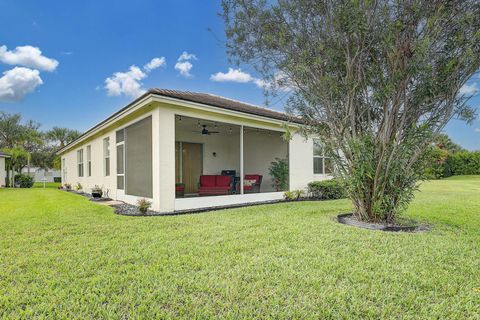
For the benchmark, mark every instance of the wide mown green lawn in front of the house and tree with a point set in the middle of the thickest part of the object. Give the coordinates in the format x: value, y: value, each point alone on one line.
x: 64, y: 257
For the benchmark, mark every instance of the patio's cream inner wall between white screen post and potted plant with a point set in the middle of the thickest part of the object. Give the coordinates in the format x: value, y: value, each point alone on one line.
x: 259, y: 150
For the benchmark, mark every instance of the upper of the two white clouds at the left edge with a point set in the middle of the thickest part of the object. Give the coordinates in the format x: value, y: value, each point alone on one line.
x: 27, y: 56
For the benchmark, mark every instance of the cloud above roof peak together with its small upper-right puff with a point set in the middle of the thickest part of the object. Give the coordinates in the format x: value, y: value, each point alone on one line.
x: 129, y: 82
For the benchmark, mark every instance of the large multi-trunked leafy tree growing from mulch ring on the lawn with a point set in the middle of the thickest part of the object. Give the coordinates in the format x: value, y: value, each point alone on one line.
x: 375, y: 79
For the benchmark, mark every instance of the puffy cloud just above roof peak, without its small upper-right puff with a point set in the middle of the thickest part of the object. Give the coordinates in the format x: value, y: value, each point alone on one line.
x: 127, y: 83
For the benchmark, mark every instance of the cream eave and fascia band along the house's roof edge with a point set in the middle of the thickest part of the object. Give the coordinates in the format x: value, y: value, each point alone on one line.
x: 149, y: 97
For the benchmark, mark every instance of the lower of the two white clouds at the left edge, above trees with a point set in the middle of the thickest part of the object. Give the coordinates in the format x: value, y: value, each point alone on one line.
x: 16, y: 83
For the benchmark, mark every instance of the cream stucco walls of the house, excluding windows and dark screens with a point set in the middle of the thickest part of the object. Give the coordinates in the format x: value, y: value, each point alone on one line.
x: 257, y: 148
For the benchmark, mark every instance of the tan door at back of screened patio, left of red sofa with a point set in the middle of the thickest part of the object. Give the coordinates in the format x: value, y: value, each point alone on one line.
x: 189, y: 164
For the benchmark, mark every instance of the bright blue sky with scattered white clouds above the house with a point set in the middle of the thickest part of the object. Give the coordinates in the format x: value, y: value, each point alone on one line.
x: 84, y: 43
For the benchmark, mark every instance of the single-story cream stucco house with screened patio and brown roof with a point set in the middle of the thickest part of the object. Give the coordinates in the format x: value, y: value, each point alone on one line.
x: 186, y: 150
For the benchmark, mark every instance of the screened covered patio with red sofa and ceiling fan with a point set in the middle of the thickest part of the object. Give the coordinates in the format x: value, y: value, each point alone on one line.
x: 223, y: 160
